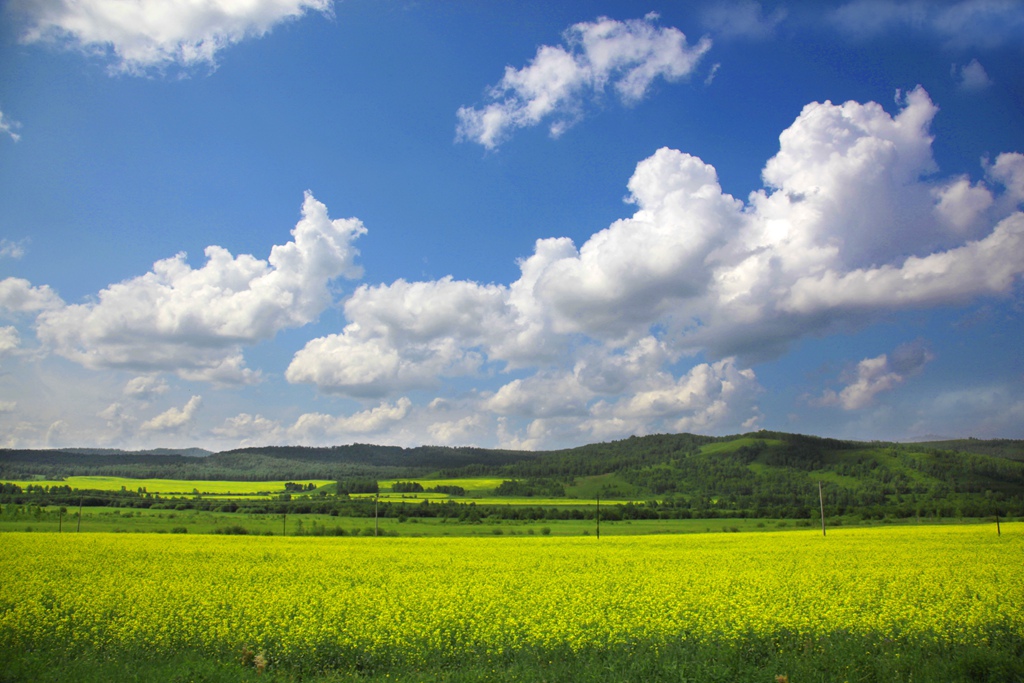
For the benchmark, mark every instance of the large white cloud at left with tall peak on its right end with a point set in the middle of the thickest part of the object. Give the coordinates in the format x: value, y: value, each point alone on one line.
x: 194, y: 321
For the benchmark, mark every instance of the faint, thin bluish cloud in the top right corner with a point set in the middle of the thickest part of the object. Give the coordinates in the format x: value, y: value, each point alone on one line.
x: 963, y: 24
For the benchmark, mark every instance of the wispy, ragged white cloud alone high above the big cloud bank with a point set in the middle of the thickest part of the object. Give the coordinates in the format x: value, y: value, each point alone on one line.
x: 628, y: 57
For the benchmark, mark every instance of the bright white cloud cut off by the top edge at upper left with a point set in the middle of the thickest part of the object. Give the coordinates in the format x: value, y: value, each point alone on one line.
x: 158, y: 33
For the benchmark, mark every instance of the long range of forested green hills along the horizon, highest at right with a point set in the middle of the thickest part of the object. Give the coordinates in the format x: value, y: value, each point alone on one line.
x: 740, y: 473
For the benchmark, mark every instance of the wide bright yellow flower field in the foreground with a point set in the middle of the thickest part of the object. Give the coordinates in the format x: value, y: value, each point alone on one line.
x: 324, y: 601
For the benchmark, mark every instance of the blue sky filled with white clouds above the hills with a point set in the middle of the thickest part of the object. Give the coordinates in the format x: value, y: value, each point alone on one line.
x: 524, y: 225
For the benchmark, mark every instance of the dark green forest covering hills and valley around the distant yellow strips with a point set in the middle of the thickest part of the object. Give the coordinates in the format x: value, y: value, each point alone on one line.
x: 761, y: 475
